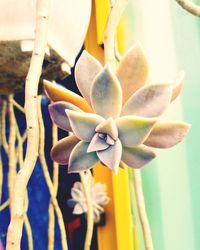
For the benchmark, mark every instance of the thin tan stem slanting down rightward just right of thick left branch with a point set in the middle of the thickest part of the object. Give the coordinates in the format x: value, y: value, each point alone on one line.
x: 48, y: 179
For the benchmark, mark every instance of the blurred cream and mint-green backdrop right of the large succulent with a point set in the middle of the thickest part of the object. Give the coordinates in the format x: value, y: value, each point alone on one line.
x: 171, y: 38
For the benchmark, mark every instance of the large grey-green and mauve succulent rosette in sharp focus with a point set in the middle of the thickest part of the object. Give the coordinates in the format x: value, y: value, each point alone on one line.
x: 117, y: 119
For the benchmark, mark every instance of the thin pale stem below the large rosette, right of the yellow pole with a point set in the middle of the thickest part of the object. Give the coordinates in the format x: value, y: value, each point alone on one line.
x: 142, y: 210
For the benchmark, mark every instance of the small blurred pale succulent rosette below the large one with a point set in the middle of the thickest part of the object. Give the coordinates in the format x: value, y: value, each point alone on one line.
x: 98, y: 195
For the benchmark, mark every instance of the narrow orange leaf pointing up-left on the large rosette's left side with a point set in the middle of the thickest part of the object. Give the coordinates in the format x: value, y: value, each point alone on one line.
x: 58, y: 93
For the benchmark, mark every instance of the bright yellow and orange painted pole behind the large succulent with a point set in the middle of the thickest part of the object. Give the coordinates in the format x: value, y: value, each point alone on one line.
x: 117, y: 234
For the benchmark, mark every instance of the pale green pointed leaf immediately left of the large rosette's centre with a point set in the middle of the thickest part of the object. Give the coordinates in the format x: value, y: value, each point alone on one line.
x: 83, y: 124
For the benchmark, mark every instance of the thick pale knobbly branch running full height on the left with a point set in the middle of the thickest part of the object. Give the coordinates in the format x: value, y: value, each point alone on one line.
x: 31, y: 88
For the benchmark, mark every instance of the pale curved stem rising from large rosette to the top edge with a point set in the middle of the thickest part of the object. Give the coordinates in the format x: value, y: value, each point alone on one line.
x: 110, y: 32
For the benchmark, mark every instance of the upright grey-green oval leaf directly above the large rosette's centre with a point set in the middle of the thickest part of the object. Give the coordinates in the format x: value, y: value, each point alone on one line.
x: 106, y: 94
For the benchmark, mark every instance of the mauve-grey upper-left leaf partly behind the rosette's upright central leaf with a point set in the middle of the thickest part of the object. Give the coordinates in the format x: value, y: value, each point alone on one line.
x: 87, y: 67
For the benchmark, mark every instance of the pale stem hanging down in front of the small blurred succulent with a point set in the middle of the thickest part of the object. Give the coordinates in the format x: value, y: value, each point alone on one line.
x: 86, y: 179
